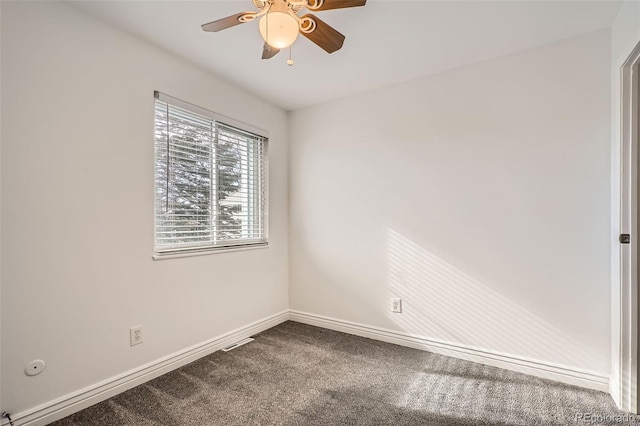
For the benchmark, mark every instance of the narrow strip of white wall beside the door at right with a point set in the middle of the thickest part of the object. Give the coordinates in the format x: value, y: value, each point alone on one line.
x: 625, y: 35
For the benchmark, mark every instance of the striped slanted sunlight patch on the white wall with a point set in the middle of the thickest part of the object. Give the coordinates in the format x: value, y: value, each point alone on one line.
x: 441, y: 302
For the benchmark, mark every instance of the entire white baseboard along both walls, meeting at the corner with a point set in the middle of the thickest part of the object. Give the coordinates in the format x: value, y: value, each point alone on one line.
x: 84, y: 398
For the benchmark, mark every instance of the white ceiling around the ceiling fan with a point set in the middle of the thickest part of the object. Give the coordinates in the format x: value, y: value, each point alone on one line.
x: 387, y: 41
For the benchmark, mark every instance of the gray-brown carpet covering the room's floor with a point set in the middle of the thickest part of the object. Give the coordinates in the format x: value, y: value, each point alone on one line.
x: 295, y: 374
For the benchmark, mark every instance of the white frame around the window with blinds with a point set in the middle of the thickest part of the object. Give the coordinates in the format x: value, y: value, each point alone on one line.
x: 235, y: 125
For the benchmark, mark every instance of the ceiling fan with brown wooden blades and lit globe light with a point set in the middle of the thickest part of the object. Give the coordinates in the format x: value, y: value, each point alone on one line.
x: 280, y: 23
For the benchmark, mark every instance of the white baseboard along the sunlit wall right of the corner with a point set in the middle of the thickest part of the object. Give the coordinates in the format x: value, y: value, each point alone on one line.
x: 537, y: 368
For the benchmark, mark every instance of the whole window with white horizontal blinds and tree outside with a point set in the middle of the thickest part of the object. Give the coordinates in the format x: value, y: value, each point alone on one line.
x: 210, y: 181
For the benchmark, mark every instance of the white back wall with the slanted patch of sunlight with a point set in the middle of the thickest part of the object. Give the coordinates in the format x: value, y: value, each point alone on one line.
x: 480, y: 196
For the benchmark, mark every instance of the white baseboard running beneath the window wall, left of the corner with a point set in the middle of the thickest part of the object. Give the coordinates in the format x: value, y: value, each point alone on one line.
x: 84, y: 398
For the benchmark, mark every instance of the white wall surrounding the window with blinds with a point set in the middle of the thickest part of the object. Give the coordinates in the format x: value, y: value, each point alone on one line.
x: 77, y: 208
